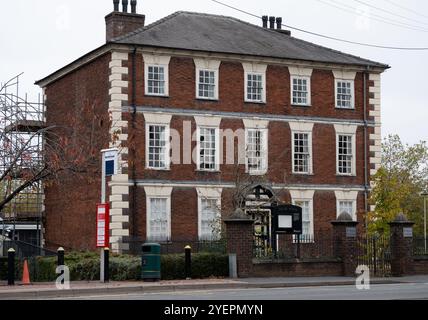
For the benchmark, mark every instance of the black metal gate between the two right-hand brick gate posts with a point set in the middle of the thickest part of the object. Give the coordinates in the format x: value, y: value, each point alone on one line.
x: 375, y: 253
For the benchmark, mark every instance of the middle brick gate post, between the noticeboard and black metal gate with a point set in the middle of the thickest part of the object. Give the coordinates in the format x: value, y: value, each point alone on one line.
x: 345, y: 242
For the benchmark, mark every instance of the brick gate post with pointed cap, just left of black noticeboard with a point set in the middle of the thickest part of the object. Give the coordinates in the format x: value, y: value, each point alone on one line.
x: 239, y: 235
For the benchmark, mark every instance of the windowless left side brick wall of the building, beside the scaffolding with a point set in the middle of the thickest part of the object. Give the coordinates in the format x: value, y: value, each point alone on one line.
x: 69, y: 207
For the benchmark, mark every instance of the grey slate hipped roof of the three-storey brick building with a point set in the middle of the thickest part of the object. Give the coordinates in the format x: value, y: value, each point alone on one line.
x: 221, y: 34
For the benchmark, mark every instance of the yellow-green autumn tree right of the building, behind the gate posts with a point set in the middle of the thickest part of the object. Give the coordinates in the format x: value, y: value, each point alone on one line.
x: 398, y: 183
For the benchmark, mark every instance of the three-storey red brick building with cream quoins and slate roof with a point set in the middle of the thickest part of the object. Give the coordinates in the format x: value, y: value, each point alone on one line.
x: 304, y: 121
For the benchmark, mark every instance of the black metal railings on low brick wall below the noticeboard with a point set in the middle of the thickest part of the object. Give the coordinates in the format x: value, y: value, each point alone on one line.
x: 293, y: 247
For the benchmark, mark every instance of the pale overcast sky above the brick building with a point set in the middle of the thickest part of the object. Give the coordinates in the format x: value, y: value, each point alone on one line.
x: 39, y: 37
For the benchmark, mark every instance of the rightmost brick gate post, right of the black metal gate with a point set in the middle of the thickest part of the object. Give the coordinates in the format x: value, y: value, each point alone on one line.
x: 401, y: 245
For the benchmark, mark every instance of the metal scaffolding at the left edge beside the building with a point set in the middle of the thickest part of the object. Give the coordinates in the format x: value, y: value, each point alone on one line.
x: 21, y: 154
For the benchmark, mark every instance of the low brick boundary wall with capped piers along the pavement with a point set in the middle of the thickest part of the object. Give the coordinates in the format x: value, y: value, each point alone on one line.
x: 239, y: 233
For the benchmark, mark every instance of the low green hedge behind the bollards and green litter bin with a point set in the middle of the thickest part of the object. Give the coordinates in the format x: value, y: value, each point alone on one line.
x: 86, y: 267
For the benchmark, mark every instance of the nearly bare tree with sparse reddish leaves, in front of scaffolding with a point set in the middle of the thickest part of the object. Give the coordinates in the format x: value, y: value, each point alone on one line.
x: 32, y: 151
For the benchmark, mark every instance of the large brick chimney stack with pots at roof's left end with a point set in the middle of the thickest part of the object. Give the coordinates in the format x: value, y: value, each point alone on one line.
x: 121, y: 23
